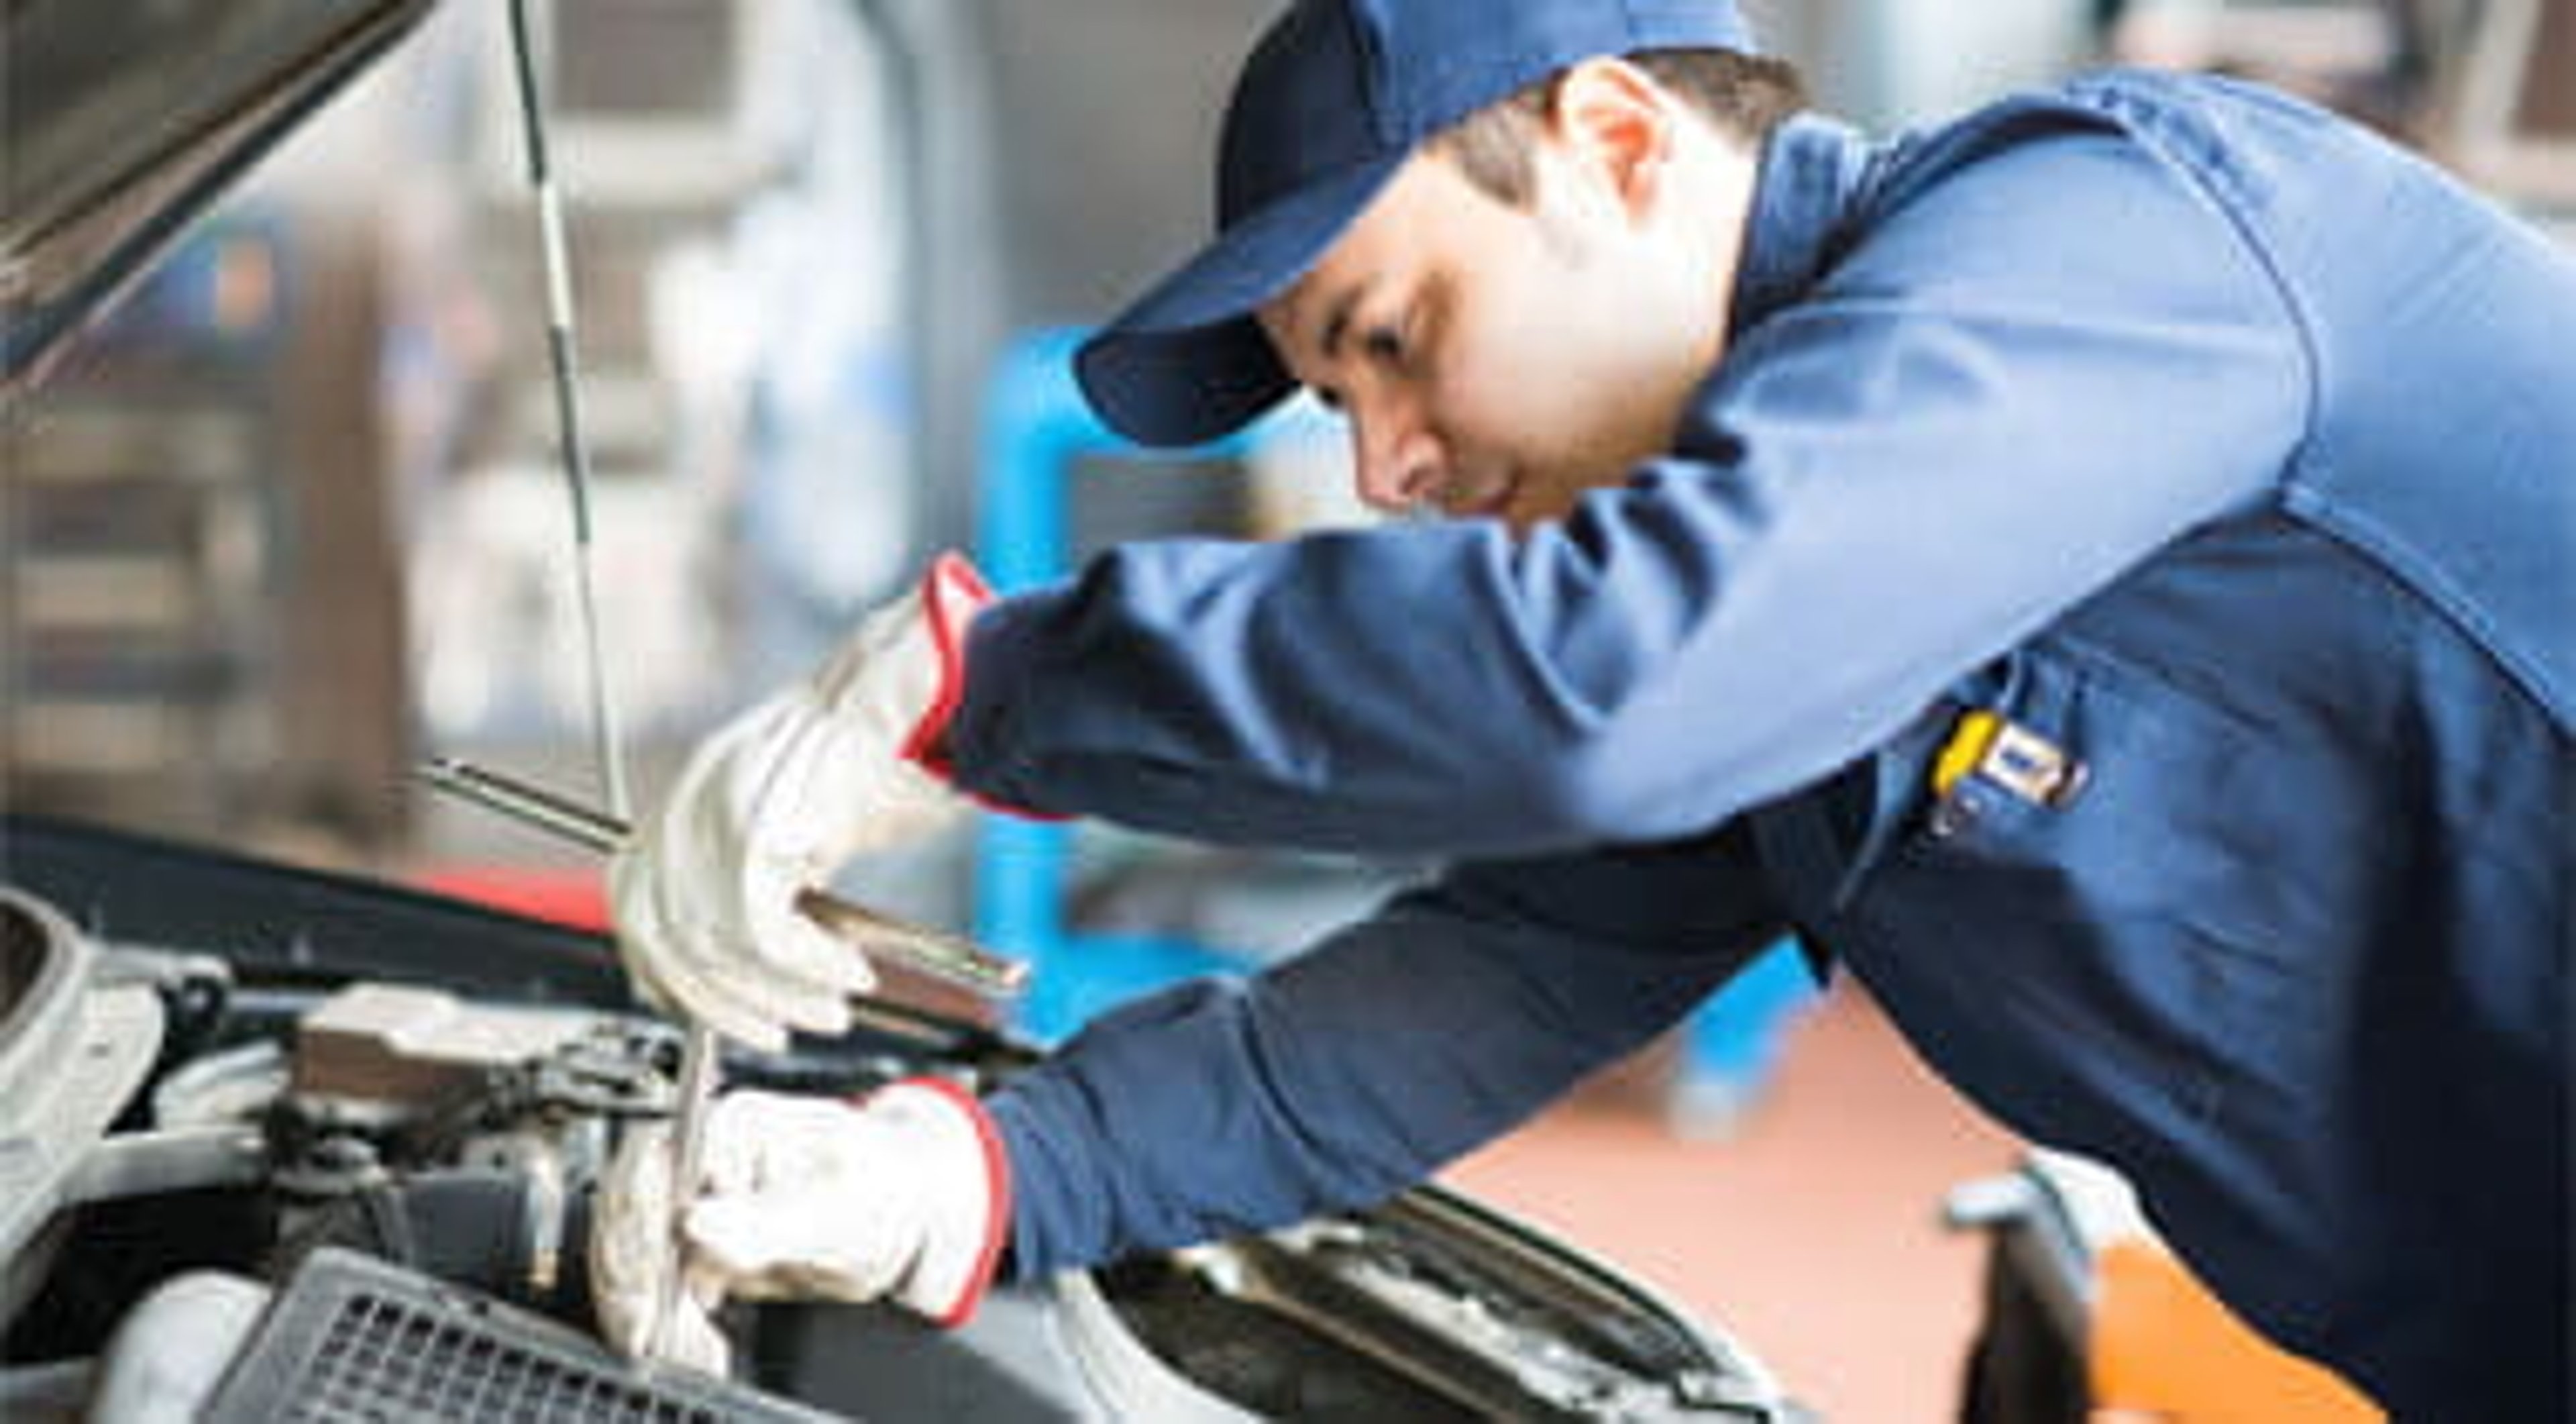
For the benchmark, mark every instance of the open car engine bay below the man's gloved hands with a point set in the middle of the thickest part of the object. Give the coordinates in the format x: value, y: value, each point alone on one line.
x: 246, y: 1098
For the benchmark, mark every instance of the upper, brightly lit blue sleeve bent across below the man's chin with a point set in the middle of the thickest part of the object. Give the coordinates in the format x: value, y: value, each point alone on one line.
x: 2018, y: 385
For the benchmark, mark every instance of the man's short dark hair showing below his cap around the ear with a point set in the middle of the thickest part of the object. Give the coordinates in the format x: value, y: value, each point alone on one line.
x: 1745, y: 97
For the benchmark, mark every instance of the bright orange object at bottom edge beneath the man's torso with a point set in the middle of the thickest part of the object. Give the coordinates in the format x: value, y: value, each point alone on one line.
x: 2163, y: 1348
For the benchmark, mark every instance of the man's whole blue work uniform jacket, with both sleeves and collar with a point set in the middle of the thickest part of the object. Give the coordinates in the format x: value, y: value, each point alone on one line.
x: 2111, y: 599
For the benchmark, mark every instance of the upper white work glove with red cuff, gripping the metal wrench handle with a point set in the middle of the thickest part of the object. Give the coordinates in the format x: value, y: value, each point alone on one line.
x: 774, y: 802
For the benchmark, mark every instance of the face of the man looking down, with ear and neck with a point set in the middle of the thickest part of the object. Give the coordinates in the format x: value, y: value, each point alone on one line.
x: 1495, y: 359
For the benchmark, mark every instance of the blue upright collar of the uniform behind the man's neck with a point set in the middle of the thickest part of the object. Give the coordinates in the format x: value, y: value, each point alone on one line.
x: 1812, y: 174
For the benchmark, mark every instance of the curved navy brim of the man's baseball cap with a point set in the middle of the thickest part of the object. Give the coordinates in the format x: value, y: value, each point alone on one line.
x: 1189, y: 364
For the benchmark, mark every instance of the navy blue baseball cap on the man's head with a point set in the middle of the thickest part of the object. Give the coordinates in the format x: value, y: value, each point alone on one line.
x: 1331, y: 104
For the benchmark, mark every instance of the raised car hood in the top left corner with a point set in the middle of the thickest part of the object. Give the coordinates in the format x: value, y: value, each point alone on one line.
x: 130, y: 117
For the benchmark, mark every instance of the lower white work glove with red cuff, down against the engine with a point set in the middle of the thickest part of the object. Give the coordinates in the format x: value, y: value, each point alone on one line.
x: 903, y: 1196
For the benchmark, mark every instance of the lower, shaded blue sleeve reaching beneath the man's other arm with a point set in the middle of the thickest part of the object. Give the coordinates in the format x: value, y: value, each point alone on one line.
x: 1377, y: 1057
